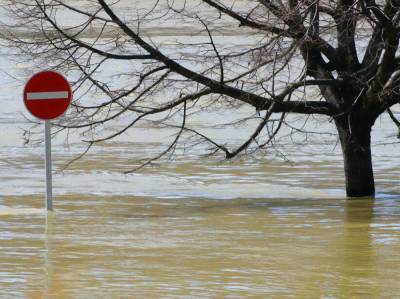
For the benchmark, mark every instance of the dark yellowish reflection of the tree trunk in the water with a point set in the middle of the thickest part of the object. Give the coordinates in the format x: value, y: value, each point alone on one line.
x: 358, y: 269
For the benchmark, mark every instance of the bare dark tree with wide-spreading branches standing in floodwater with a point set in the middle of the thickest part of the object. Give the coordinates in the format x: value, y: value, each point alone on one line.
x: 331, y: 58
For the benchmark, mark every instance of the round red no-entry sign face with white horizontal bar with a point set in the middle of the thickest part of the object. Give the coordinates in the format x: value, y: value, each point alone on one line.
x: 47, y: 95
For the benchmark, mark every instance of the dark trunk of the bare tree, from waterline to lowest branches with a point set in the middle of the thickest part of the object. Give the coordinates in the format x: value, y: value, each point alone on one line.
x: 356, y: 147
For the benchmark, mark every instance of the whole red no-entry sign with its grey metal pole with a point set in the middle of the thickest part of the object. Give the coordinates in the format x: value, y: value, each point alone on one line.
x: 47, y: 95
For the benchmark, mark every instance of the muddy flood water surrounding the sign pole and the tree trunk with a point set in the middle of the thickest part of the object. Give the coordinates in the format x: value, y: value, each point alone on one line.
x: 271, y: 225
